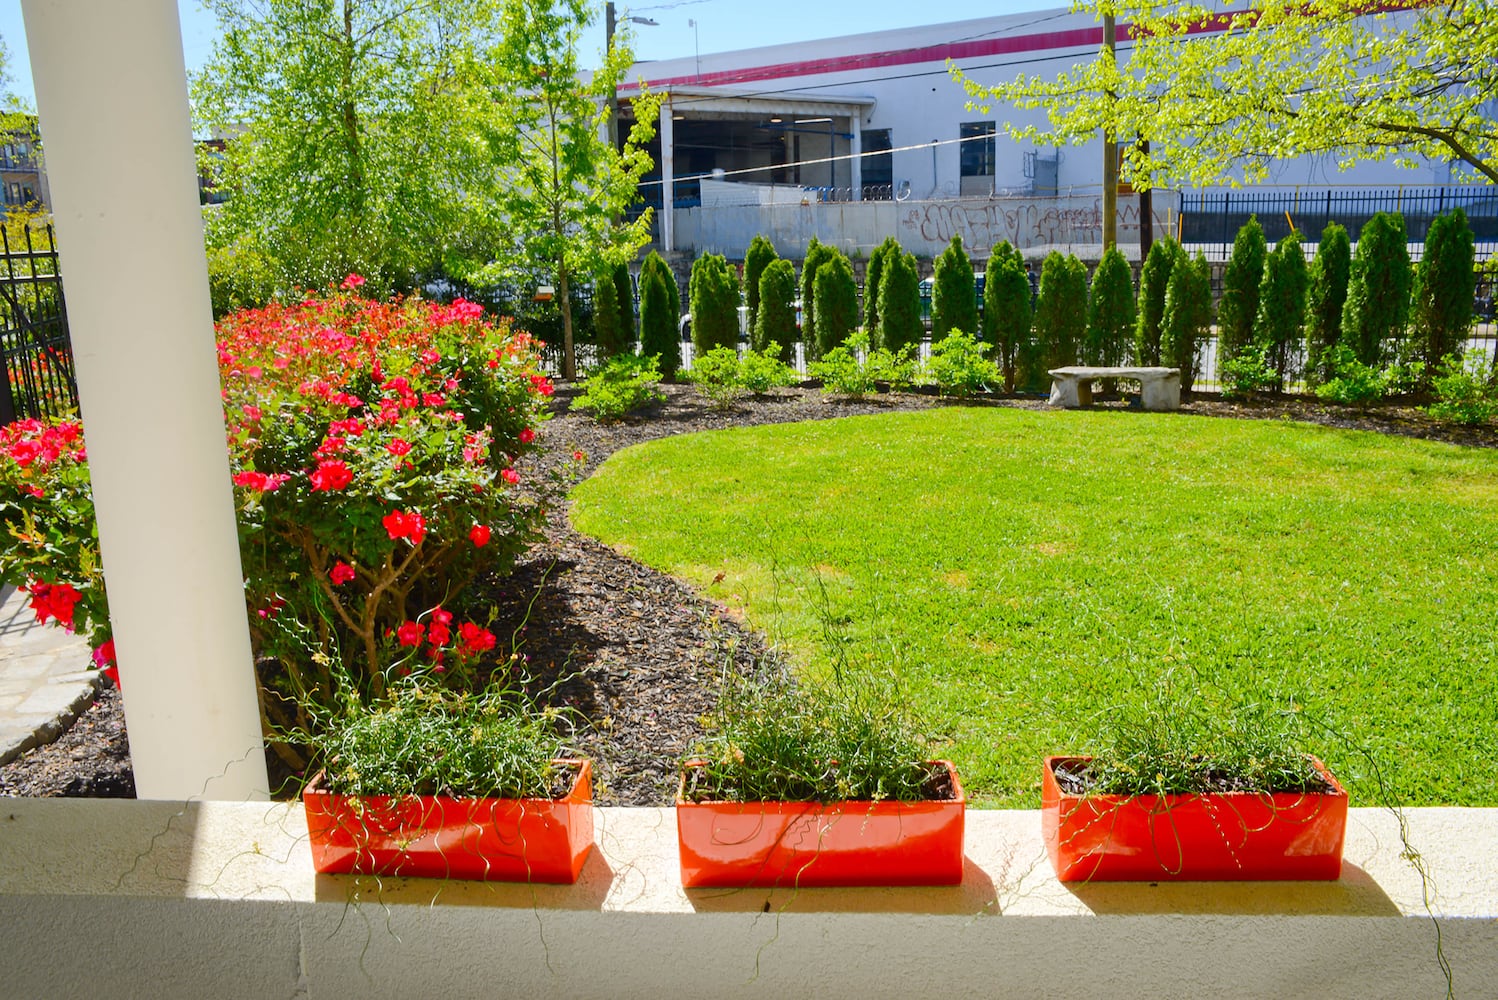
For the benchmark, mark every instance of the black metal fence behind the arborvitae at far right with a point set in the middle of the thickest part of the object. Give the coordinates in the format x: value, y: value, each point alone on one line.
x: 1214, y: 219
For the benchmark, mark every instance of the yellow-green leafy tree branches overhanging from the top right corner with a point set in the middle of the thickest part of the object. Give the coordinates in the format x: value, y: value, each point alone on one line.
x: 1219, y: 94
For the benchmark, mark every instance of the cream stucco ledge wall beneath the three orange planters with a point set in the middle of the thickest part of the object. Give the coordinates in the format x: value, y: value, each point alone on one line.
x: 158, y: 900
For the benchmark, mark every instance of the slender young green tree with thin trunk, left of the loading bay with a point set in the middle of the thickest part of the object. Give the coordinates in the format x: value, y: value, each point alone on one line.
x: 565, y: 188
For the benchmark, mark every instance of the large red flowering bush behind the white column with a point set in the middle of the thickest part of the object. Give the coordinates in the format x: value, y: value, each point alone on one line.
x: 372, y: 448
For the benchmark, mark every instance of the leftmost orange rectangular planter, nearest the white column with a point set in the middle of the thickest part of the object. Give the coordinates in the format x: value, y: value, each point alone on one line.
x: 440, y: 838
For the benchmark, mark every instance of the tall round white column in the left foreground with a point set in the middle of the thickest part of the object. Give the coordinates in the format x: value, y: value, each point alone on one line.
x: 113, y: 100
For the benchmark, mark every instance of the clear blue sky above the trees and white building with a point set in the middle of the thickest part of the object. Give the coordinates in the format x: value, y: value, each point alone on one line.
x: 721, y: 26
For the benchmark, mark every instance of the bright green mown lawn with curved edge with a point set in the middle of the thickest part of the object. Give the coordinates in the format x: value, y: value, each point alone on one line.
x: 1028, y: 573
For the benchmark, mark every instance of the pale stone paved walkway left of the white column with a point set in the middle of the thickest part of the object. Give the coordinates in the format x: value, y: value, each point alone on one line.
x: 46, y: 679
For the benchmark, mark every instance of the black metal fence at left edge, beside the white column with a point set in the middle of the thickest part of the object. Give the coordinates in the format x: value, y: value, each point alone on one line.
x: 34, y: 330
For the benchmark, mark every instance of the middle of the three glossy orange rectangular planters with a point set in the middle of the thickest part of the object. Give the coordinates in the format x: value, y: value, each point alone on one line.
x: 798, y: 845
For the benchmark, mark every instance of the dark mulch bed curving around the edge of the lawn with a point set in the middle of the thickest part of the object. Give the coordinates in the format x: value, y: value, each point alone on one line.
x: 636, y: 653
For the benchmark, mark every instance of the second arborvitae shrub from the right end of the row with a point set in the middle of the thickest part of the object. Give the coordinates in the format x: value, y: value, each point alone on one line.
x: 1379, y: 291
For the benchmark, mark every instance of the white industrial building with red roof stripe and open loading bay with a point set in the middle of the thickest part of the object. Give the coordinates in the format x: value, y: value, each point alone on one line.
x: 862, y: 137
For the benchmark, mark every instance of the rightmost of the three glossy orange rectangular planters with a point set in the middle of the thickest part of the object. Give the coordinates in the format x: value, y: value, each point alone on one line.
x: 1235, y: 836
